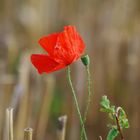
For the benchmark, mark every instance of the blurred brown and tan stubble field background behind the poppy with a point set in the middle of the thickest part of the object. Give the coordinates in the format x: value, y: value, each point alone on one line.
x: 111, y: 31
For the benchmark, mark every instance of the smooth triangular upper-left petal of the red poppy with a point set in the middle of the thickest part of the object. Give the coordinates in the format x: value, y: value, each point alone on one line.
x: 49, y: 42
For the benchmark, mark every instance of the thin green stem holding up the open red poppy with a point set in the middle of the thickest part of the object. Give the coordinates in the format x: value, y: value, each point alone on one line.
x: 76, y: 102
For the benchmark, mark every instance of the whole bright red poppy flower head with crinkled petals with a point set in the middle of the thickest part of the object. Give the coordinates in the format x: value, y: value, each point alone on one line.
x: 63, y: 49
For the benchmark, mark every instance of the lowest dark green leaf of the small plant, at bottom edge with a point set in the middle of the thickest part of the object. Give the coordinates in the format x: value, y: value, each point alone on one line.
x: 113, y: 133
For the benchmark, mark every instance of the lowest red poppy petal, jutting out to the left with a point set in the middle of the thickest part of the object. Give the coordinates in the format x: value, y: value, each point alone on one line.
x: 45, y: 63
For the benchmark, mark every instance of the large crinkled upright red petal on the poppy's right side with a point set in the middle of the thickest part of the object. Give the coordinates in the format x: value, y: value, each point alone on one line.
x: 70, y: 45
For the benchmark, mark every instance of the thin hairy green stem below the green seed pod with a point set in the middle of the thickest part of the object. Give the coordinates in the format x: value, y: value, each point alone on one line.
x: 88, y: 98
